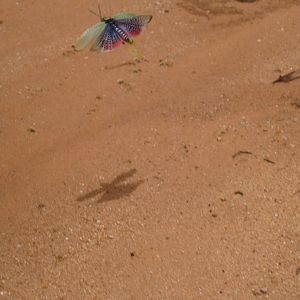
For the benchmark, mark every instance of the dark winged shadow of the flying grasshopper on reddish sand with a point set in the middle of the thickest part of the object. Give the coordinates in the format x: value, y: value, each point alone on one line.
x: 114, y: 190
